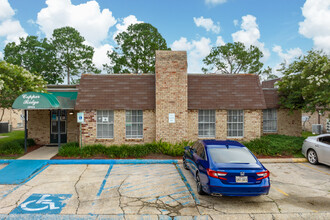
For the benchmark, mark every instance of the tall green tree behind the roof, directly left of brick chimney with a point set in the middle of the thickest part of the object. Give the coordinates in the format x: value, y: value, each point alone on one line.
x: 136, y: 51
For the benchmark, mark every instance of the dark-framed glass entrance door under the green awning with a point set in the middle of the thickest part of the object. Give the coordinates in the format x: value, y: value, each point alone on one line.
x: 54, y: 128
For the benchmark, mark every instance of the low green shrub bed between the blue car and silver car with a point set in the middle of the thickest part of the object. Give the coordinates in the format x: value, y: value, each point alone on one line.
x: 276, y: 145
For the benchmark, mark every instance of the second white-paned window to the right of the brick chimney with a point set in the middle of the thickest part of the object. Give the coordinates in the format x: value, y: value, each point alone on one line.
x: 235, y: 123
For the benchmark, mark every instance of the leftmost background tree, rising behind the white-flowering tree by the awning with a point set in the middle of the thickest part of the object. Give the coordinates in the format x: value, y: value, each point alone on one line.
x: 35, y: 56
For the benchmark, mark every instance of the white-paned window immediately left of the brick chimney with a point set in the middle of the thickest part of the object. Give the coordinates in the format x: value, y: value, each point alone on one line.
x: 134, y: 124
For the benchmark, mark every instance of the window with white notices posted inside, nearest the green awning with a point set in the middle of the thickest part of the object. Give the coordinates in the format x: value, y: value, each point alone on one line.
x: 104, y: 124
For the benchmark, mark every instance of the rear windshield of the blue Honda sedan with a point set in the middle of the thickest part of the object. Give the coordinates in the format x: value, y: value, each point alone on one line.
x: 231, y: 155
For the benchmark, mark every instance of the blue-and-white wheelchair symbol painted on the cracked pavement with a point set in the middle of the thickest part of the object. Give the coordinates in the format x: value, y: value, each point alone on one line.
x: 42, y: 203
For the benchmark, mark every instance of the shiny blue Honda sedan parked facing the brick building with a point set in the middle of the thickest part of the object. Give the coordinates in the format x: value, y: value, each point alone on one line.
x: 226, y: 168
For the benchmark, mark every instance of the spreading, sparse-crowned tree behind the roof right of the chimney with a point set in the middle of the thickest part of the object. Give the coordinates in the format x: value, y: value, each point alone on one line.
x: 234, y: 58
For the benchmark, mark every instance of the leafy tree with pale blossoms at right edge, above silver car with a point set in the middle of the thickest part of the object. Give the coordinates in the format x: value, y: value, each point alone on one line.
x: 306, y: 83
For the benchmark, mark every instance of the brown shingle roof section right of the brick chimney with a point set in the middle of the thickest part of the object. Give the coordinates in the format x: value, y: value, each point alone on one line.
x: 215, y: 91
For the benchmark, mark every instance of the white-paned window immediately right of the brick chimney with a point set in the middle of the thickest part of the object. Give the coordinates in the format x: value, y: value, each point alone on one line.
x: 206, y: 123
